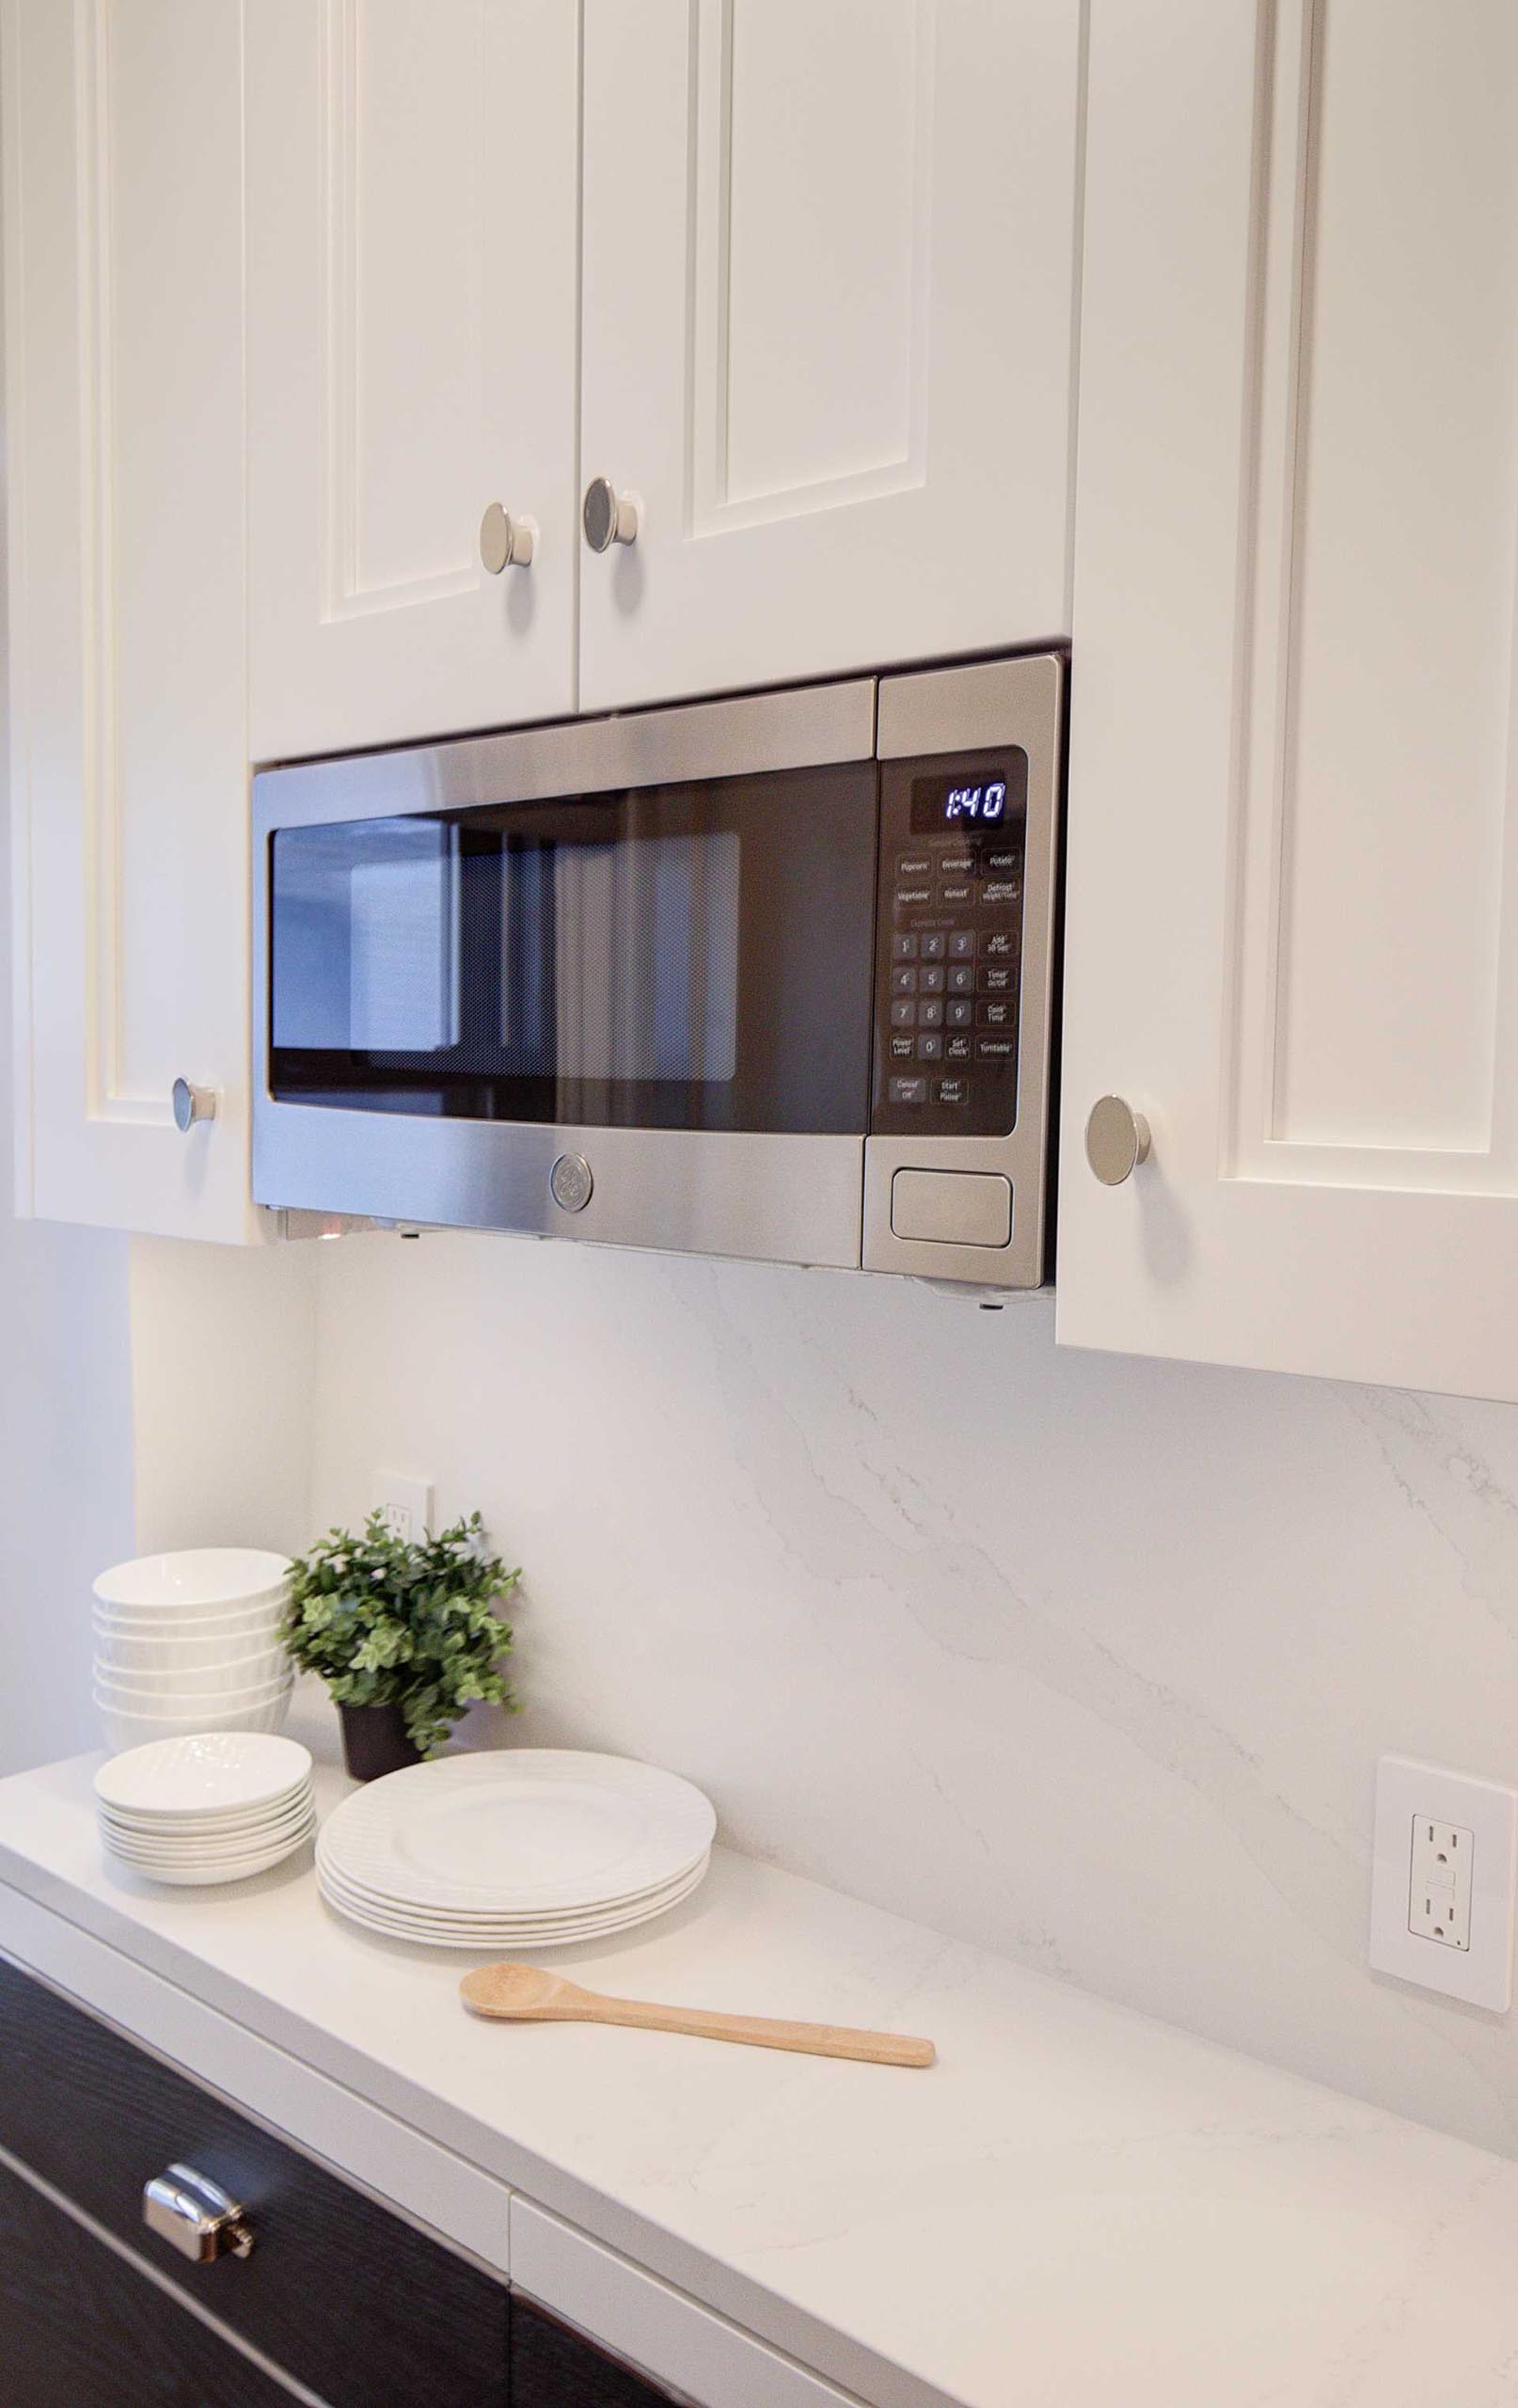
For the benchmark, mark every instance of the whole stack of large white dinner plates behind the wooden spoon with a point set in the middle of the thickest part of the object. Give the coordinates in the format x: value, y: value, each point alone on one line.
x: 529, y: 1848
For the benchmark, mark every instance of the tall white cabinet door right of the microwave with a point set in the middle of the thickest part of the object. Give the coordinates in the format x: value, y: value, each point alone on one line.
x: 1293, y: 933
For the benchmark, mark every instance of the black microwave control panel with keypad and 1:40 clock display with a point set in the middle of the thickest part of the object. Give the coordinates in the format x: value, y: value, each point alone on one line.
x: 948, y: 955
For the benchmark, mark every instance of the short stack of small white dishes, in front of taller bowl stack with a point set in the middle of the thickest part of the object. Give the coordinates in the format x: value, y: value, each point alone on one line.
x: 204, y: 1810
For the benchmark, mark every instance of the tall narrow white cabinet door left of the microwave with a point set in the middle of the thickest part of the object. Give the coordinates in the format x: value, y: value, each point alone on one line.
x: 124, y: 326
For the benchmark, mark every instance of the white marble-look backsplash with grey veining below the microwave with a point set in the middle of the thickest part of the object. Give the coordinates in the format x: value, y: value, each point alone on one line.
x: 1073, y: 1655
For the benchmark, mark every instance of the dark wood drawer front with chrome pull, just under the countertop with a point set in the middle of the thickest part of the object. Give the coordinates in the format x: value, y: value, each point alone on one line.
x: 343, y: 2296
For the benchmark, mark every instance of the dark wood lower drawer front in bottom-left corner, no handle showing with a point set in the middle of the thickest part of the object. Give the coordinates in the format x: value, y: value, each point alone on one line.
x: 83, y: 2330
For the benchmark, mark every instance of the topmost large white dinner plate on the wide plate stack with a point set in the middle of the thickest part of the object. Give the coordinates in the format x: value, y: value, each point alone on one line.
x: 519, y: 1831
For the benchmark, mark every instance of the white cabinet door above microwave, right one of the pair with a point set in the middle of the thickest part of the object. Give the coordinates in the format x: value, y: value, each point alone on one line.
x: 828, y: 334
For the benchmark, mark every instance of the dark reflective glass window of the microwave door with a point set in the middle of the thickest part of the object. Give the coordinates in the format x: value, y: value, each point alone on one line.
x: 671, y: 957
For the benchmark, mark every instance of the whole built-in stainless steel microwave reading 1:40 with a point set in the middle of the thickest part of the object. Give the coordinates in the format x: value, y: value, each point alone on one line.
x: 763, y: 976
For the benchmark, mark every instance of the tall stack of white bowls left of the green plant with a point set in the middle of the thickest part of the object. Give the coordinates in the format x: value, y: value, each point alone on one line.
x: 192, y: 1643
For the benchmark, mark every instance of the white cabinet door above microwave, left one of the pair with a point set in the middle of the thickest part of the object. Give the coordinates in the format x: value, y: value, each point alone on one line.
x: 413, y: 203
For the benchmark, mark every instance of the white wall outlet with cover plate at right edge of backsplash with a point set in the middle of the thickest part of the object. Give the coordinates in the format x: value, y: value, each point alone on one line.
x: 1442, y: 1884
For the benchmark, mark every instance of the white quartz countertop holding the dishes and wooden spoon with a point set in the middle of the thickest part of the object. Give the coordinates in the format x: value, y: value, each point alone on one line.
x: 1073, y: 2209
